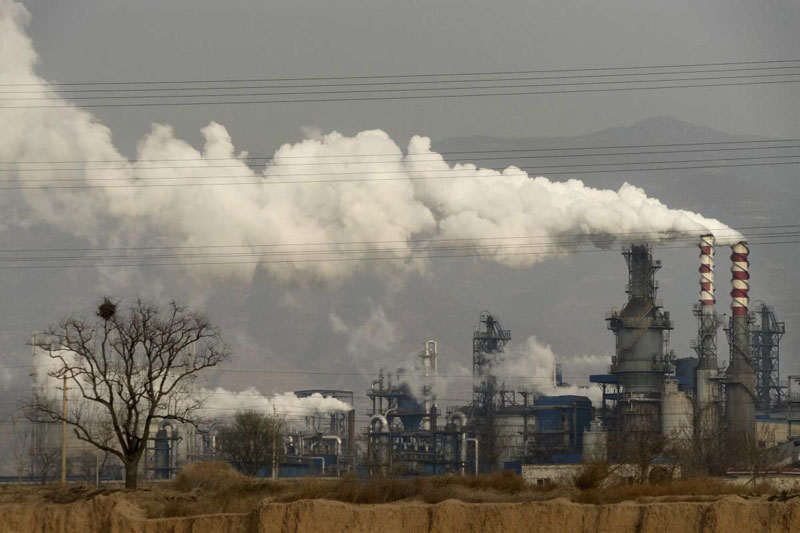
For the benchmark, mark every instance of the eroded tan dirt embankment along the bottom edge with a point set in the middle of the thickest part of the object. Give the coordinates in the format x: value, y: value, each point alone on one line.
x: 116, y: 513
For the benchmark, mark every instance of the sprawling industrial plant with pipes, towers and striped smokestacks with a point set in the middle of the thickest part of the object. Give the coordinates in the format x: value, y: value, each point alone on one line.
x: 688, y: 411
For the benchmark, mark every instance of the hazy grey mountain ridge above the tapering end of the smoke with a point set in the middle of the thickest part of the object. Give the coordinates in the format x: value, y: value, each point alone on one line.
x: 758, y: 191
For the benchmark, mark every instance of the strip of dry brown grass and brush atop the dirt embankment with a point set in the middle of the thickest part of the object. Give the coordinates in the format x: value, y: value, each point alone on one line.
x: 215, y: 487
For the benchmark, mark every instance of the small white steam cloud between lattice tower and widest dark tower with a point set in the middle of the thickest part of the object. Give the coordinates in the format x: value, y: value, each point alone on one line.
x: 535, y: 364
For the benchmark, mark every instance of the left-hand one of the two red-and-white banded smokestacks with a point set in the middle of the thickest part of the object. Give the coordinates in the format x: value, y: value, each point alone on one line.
x: 707, y: 392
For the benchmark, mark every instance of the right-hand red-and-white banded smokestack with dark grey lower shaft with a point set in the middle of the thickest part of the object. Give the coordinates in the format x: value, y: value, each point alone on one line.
x: 740, y: 393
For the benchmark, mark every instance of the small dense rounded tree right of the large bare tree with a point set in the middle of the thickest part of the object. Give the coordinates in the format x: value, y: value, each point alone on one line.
x: 253, y: 440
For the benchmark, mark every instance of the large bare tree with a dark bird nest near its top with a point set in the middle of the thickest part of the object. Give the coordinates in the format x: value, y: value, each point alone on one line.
x: 127, y: 371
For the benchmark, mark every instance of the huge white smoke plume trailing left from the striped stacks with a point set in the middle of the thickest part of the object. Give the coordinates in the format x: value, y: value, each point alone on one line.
x: 317, y: 232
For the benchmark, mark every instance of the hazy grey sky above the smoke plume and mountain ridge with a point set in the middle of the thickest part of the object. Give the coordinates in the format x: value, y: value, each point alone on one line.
x: 190, y: 39
